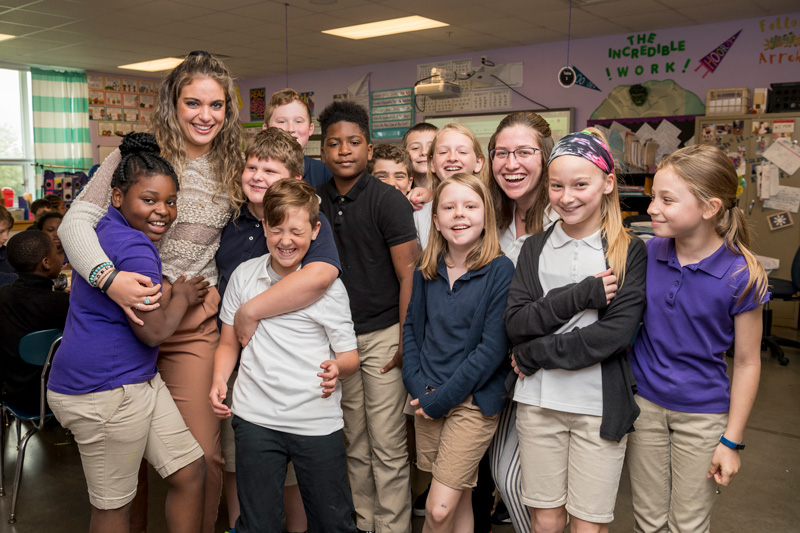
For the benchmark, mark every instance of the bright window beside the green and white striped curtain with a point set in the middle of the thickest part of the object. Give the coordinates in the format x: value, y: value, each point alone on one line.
x: 16, y: 132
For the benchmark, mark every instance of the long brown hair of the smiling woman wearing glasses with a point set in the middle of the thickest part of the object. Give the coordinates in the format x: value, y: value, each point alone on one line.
x: 503, y: 205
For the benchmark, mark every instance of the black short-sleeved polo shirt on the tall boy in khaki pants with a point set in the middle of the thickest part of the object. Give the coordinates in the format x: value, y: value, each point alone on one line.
x: 367, y: 221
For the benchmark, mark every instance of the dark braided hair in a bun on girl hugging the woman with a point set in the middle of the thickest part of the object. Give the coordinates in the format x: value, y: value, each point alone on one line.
x: 141, y: 157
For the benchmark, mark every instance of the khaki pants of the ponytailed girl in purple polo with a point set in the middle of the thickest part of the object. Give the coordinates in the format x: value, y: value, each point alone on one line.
x: 668, y: 458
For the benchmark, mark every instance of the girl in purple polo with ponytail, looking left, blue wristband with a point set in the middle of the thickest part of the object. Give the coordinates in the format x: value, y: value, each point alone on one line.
x: 705, y: 291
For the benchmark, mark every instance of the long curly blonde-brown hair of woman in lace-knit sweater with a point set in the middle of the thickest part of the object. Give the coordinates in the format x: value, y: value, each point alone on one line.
x: 225, y: 155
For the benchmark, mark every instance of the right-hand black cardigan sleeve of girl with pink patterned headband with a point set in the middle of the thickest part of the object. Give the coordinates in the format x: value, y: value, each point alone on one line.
x: 613, y: 332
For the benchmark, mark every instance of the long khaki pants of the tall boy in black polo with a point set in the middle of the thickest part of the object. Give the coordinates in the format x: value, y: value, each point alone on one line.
x: 375, y: 434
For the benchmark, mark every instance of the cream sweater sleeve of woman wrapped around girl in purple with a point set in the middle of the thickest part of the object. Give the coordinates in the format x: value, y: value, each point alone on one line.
x: 77, y: 231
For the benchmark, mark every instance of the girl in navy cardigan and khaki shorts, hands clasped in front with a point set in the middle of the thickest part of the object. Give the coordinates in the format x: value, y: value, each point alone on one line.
x: 455, y: 345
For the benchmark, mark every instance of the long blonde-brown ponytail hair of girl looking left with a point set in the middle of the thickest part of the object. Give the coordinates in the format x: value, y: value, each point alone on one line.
x: 710, y: 174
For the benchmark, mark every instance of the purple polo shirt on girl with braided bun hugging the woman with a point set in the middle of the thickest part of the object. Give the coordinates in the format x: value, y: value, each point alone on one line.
x: 99, y: 350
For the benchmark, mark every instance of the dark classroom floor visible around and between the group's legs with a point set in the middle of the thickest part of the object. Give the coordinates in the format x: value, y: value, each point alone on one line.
x: 764, y: 497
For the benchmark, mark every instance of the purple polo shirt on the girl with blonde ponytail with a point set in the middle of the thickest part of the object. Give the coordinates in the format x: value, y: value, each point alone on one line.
x: 688, y: 325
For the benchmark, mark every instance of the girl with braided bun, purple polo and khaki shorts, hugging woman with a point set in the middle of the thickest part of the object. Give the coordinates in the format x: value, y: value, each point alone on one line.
x: 104, y: 385
